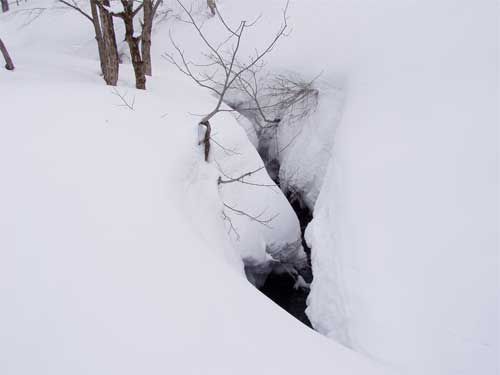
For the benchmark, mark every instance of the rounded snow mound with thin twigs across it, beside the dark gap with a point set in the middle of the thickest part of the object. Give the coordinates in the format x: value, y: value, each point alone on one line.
x: 276, y: 237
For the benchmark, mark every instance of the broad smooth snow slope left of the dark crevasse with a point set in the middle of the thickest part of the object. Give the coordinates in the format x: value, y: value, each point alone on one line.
x: 105, y: 267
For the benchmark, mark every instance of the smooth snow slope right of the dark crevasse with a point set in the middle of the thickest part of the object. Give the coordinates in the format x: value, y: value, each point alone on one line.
x: 405, y: 235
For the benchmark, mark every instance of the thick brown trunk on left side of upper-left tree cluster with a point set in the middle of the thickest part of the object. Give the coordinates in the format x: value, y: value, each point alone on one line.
x: 110, y: 49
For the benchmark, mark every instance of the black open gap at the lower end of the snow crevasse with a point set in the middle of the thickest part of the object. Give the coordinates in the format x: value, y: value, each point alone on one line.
x: 281, y: 285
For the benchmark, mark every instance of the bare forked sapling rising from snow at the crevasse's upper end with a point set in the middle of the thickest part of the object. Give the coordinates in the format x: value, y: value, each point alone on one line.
x: 224, y: 67
